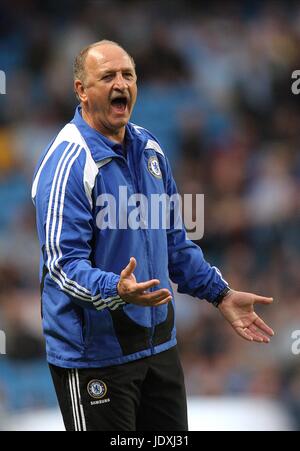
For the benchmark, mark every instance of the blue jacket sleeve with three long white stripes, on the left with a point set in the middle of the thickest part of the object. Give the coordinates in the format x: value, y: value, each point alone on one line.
x: 68, y: 227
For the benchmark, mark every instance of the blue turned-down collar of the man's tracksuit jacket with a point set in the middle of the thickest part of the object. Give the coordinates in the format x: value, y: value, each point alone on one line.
x: 100, y: 146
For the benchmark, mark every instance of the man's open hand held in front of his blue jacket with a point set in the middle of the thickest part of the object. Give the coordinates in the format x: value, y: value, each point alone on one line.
x: 136, y: 293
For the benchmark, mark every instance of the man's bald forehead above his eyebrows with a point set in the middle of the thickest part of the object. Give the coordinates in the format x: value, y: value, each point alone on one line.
x: 107, y: 57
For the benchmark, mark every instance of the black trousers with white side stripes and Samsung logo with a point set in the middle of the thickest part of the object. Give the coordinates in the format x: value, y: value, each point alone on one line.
x: 144, y: 395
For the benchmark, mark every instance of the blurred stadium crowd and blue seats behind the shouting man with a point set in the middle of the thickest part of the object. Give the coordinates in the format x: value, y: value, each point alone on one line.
x: 215, y: 87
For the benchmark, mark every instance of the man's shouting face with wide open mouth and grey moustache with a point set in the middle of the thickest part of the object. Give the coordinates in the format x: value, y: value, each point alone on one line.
x: 109, y: 90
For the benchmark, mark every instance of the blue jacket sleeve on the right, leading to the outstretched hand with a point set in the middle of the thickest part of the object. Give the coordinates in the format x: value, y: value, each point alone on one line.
x: 187, y: 266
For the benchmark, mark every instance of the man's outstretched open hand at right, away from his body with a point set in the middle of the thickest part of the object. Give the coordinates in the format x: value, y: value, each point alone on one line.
x: 238, y: 308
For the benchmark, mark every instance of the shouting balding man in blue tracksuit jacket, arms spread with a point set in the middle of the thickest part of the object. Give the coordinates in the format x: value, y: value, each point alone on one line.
x: 107, y: 303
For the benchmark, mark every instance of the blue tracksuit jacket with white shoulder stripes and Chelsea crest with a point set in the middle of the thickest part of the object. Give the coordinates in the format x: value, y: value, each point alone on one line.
x: 85, y: 322
